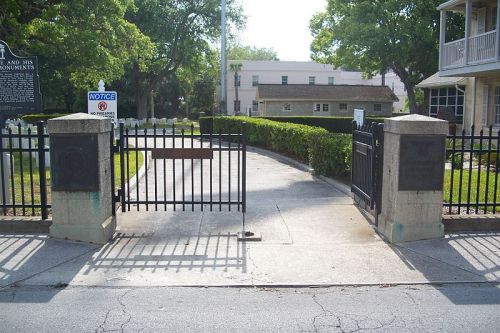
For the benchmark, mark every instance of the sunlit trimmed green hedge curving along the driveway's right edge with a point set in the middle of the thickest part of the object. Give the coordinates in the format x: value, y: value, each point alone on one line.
x: 328, y: 154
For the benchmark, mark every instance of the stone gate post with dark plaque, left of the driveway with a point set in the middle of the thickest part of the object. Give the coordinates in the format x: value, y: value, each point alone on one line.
x: 81, y: 178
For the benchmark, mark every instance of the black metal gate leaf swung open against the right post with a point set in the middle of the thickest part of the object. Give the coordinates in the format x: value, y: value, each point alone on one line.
x: 367, y: 160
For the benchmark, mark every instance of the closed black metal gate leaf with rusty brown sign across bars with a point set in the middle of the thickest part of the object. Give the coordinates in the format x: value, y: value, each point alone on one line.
x: 169, y: 169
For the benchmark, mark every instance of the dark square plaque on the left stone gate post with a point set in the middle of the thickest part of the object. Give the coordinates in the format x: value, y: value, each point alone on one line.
x: 74, y: 163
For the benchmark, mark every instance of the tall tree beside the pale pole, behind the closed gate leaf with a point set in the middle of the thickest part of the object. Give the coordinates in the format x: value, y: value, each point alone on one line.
x: 179, y: 29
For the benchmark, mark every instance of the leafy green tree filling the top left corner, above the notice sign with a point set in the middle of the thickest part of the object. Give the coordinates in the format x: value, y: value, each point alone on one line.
x: 78, y: 42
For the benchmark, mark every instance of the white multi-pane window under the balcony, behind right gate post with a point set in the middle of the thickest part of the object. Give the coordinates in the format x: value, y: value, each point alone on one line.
x: 451, y: 98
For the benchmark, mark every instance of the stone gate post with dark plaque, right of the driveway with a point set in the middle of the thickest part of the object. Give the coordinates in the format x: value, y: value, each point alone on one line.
x: 413, y: 172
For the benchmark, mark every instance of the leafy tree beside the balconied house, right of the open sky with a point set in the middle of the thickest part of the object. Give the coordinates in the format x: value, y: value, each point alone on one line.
x: 377, y: 36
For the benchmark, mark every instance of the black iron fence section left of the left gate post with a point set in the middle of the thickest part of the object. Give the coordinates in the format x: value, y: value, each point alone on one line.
x: 24, y: 171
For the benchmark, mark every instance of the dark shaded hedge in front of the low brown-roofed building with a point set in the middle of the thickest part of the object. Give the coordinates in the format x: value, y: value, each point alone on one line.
x: 331, y: 124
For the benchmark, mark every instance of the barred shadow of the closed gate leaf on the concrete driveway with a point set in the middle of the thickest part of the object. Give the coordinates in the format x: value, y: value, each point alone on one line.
x: 148, y: 252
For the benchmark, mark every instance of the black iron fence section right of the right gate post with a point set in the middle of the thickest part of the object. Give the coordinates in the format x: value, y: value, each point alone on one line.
x: 471, y: 173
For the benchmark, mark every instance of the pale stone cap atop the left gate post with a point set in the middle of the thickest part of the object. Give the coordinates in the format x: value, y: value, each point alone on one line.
x: 79, y: 123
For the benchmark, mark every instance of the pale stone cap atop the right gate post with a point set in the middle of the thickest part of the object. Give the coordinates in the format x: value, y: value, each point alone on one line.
x: 416, y: 124
